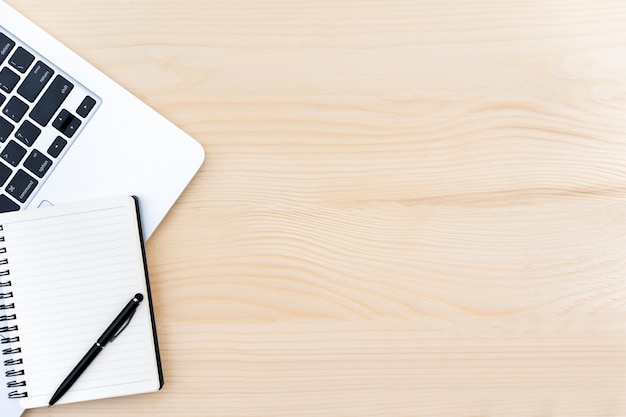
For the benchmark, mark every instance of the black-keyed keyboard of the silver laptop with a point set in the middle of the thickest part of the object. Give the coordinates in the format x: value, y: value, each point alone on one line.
x: 42, y: 112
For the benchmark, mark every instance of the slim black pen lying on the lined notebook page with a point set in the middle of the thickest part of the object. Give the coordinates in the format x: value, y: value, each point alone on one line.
x: 114, y: 329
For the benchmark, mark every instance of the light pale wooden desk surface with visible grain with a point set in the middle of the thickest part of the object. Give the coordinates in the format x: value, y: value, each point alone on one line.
x: 408, y: 208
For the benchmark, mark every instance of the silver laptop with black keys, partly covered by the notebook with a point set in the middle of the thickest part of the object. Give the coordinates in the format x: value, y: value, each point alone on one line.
x: 68, y: 132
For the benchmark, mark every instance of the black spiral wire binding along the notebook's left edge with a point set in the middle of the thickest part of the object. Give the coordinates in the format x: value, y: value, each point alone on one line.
x: 6, y: 316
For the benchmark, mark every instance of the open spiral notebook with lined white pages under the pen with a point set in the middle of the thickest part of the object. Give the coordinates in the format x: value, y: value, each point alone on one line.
x: 65, y: 273
